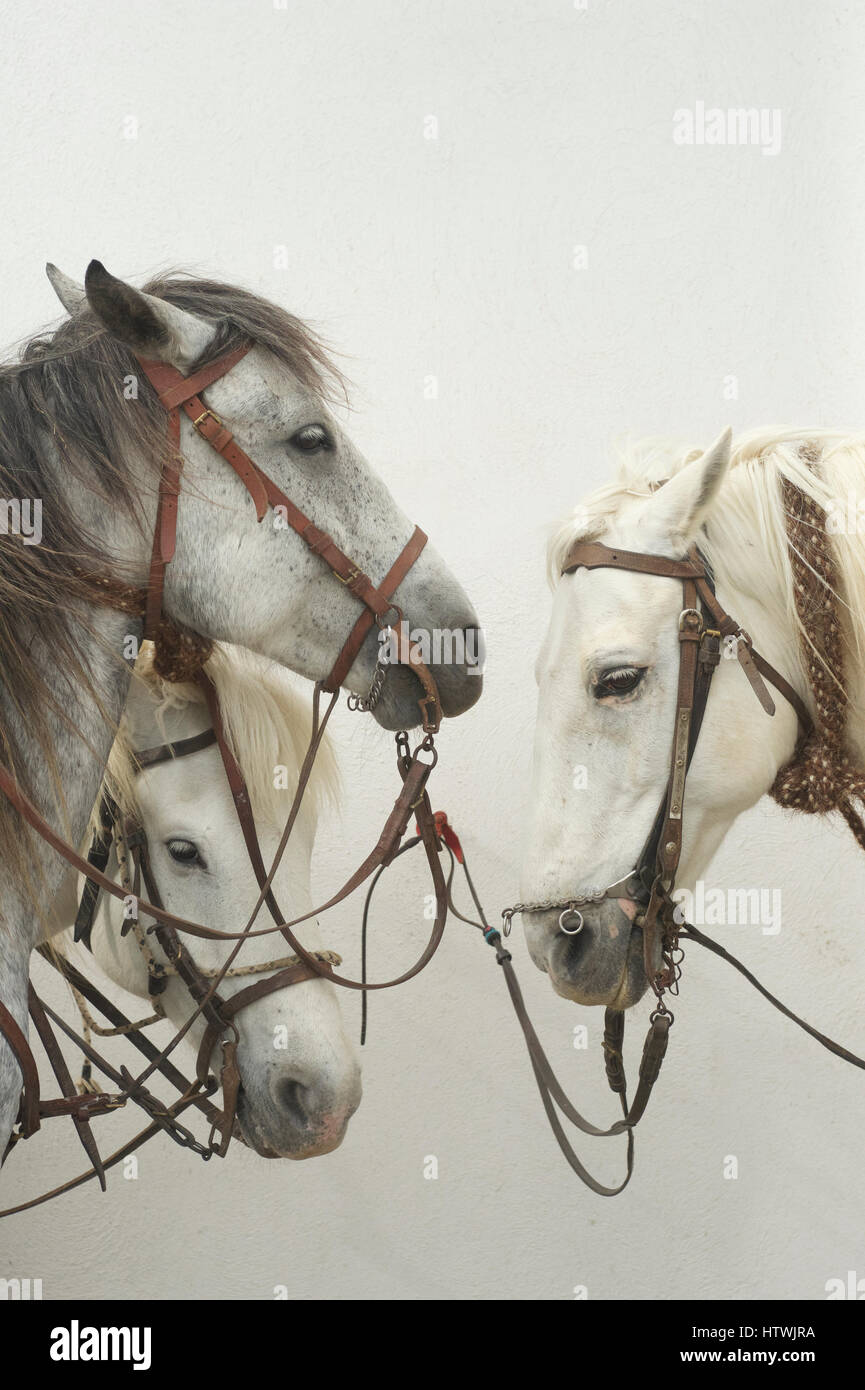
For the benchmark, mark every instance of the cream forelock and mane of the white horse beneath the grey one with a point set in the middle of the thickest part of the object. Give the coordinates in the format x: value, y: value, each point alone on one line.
x: 268, y: 725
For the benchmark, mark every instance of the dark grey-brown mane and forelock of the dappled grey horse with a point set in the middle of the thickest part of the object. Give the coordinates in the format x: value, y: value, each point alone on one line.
x: 65, y: 416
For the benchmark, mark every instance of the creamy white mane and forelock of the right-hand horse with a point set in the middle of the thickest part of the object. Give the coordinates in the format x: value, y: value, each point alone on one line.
x: 827, y: 465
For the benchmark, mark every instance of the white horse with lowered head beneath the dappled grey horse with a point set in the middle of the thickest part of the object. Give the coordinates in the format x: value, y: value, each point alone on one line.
x: 300, y: 1074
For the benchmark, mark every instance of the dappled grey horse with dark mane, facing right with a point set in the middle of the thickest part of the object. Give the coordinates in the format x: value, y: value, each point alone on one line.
x: 83, y: 437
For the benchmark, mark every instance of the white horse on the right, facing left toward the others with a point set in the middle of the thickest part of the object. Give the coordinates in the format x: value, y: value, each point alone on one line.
x: 608, y: 672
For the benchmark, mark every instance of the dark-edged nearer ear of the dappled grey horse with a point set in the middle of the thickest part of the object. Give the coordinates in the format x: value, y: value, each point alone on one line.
x: 149, y: 326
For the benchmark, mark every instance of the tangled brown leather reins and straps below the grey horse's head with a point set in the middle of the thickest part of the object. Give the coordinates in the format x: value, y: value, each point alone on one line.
x: 414, y: 768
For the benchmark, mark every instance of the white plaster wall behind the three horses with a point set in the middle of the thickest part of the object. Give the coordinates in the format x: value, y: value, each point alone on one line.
x: 304, y: 127
